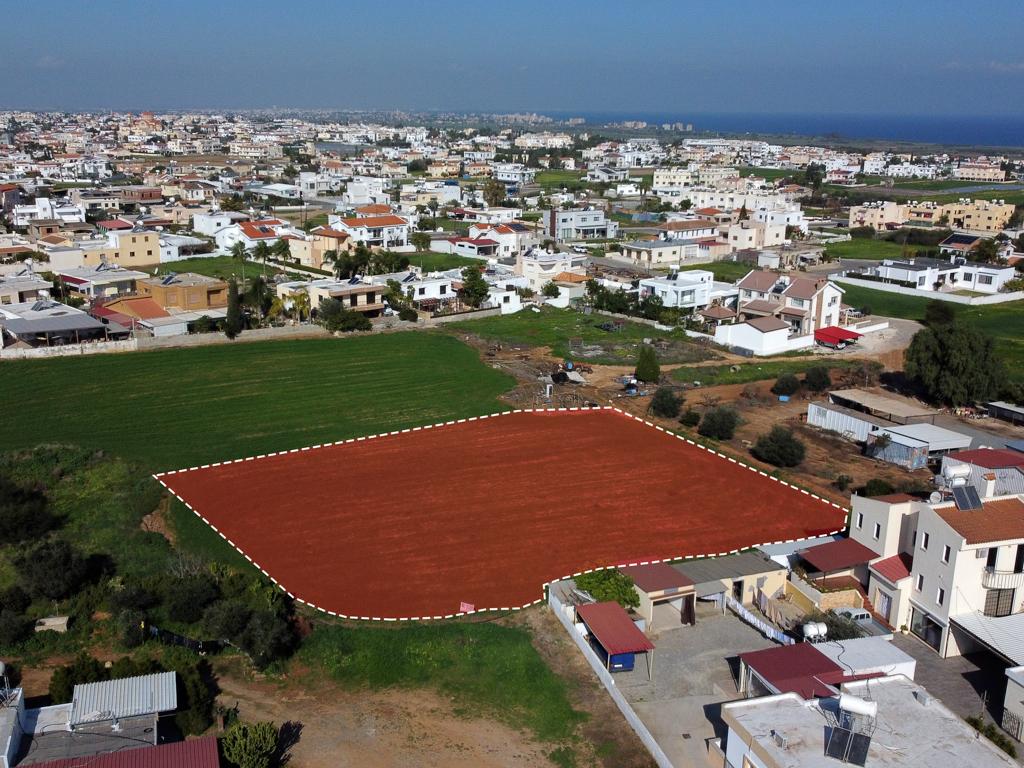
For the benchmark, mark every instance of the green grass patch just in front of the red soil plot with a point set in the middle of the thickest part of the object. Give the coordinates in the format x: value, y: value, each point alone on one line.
x: 486, y: 668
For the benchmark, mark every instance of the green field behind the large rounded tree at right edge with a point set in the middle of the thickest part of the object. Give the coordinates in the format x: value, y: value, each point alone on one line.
x: 1005, y: 323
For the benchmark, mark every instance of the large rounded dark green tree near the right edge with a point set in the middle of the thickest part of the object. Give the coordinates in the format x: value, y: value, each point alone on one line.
x: 955, y: 365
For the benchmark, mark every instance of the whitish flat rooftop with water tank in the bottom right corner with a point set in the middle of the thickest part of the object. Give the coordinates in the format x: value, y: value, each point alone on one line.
x: 908, y: 733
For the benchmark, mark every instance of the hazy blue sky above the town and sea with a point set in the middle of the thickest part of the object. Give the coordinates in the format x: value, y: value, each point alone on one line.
x: 905, y: 58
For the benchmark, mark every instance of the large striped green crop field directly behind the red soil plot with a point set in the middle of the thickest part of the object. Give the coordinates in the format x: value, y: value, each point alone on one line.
x: 177, y: 408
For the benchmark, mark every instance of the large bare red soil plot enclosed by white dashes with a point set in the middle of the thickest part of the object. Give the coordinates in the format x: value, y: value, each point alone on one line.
x: 487, y: 511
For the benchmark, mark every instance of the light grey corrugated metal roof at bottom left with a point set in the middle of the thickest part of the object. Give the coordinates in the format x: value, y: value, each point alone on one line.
x: 134, y: 697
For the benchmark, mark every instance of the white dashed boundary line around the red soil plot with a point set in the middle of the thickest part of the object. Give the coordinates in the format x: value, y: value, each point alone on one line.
x: 160, y: 476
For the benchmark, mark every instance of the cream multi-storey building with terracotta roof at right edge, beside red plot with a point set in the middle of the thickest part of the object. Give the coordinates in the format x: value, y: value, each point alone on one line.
x: 951, y: 572
